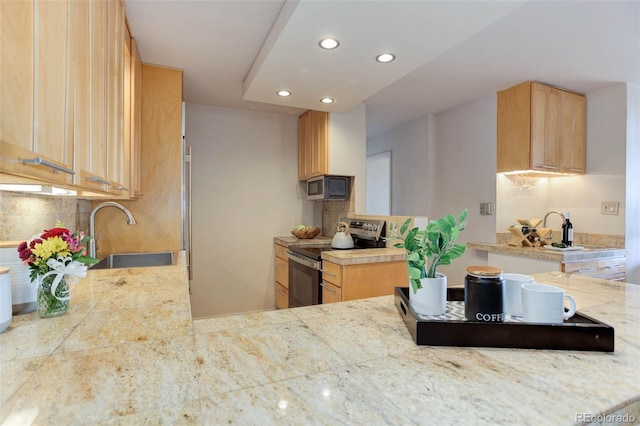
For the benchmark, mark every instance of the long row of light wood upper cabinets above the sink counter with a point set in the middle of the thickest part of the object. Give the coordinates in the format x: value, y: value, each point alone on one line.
x: 62, y: 94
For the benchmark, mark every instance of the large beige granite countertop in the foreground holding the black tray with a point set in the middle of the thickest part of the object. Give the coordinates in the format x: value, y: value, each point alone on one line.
x: 128, y: 352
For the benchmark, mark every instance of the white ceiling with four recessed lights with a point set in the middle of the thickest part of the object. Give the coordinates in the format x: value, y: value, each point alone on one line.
x: 238, y: 53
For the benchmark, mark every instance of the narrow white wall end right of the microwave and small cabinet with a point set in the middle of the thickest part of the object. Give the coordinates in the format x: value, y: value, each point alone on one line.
x: 348, y: 150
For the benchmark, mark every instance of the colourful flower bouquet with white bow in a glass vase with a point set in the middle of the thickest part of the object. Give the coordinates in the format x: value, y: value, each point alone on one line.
x: 56, y: 258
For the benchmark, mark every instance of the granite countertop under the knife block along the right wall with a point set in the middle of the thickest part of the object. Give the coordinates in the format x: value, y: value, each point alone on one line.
x: 589, y: 253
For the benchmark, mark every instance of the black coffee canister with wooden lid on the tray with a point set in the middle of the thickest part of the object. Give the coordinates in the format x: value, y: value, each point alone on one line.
x: 483, y: 294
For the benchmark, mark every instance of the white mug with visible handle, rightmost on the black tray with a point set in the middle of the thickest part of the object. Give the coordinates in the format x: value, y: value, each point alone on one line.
x: 543, y: 303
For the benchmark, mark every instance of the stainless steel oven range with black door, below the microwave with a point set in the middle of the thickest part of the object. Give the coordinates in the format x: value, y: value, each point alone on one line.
x: 305, y: 262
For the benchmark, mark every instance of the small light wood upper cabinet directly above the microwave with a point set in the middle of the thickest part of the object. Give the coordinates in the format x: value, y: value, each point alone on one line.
x: 313, y: 144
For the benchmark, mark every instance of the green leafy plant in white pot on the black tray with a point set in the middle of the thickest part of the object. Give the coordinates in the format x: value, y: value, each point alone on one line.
x: 427, y: 249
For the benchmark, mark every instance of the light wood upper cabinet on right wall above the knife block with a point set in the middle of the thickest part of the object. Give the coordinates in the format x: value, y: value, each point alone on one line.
x: 541, y: 128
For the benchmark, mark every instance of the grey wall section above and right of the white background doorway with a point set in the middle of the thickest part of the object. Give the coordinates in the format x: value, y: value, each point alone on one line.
x: 410, y: 165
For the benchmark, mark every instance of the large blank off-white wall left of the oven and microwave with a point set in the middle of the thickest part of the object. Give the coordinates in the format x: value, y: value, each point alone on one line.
x: 245, y: 192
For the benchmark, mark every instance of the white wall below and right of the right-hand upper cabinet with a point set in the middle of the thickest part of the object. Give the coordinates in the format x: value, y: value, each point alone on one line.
x: 582, y: 195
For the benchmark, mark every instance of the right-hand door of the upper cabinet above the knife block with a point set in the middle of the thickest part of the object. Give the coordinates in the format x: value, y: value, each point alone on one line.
x: 572, y: 132
